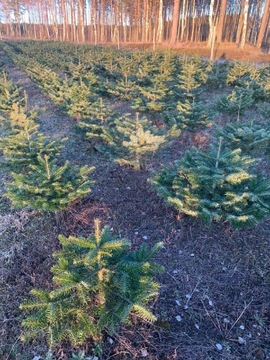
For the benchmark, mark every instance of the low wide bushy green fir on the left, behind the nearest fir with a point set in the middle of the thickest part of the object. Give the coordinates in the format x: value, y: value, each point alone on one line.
x: 47, y: 186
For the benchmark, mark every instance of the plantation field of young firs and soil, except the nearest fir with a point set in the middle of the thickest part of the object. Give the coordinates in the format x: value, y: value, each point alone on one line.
x: 127, y: 114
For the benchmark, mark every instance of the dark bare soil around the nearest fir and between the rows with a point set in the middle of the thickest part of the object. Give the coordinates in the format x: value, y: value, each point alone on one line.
x: 215, y: 288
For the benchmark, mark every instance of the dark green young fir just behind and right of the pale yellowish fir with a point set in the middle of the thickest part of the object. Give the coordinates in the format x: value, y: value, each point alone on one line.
x: 189, y: 115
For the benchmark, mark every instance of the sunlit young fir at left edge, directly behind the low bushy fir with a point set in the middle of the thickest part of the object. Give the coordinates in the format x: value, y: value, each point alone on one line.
x: 24, y: 142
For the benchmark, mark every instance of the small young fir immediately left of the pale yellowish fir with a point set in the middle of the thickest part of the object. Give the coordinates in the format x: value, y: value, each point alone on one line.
x: 100, y: 117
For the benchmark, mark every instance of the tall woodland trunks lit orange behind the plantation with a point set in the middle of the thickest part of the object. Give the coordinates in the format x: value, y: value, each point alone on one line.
x: 141, y: 21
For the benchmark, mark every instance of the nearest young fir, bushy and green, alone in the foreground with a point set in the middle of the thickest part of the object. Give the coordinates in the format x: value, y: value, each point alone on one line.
x: 99, y: 282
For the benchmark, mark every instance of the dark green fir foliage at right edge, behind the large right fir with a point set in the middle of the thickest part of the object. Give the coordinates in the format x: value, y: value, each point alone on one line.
x: 249, y: 137
